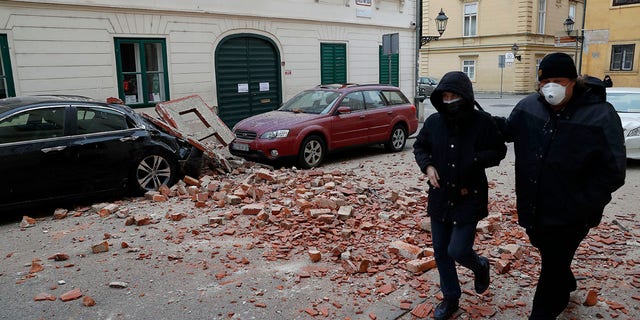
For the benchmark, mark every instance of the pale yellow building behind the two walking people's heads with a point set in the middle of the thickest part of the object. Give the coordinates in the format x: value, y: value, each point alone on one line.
x: 480, y: 35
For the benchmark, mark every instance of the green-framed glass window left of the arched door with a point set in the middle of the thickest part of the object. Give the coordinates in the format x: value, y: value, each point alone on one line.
x: 142, y: 75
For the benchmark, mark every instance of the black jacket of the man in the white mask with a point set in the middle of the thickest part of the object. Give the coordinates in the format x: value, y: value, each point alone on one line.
x: 567, y: 162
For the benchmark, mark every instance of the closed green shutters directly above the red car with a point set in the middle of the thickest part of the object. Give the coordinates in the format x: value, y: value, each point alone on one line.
x: 333, y: 63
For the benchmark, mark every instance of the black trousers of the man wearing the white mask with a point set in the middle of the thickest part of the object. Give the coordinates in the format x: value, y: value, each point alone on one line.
x: 557, y: 245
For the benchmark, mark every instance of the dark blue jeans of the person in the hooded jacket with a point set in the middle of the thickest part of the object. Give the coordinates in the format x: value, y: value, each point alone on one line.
x: 453, y: 243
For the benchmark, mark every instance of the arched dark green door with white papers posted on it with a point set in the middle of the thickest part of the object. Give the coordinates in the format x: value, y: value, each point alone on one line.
x: 248, y: 77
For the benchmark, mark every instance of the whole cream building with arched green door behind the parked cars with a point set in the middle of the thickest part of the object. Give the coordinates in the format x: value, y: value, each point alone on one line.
x: 243, y: 56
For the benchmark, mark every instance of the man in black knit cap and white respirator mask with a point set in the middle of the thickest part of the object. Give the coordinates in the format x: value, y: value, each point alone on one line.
x: 570, y: 157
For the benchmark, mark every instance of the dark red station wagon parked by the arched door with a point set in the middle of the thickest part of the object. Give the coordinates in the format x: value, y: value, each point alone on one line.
x: 325, y: 119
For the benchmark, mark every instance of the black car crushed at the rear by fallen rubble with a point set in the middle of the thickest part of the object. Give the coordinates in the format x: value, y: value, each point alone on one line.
x: 69, y: 147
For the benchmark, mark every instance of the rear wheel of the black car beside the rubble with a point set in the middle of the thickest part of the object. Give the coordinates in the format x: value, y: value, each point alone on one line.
x: 152, y: 171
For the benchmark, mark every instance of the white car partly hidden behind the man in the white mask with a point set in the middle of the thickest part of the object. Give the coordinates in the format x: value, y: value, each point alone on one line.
x: 627, y: 103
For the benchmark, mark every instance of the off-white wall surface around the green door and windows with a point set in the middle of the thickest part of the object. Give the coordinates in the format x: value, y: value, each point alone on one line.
x: 62, y: 49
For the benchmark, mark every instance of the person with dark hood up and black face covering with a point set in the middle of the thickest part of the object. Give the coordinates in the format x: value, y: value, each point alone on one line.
x: 453, y: 148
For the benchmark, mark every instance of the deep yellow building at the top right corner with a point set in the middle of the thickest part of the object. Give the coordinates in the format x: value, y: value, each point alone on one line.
x: 612, y: 42
